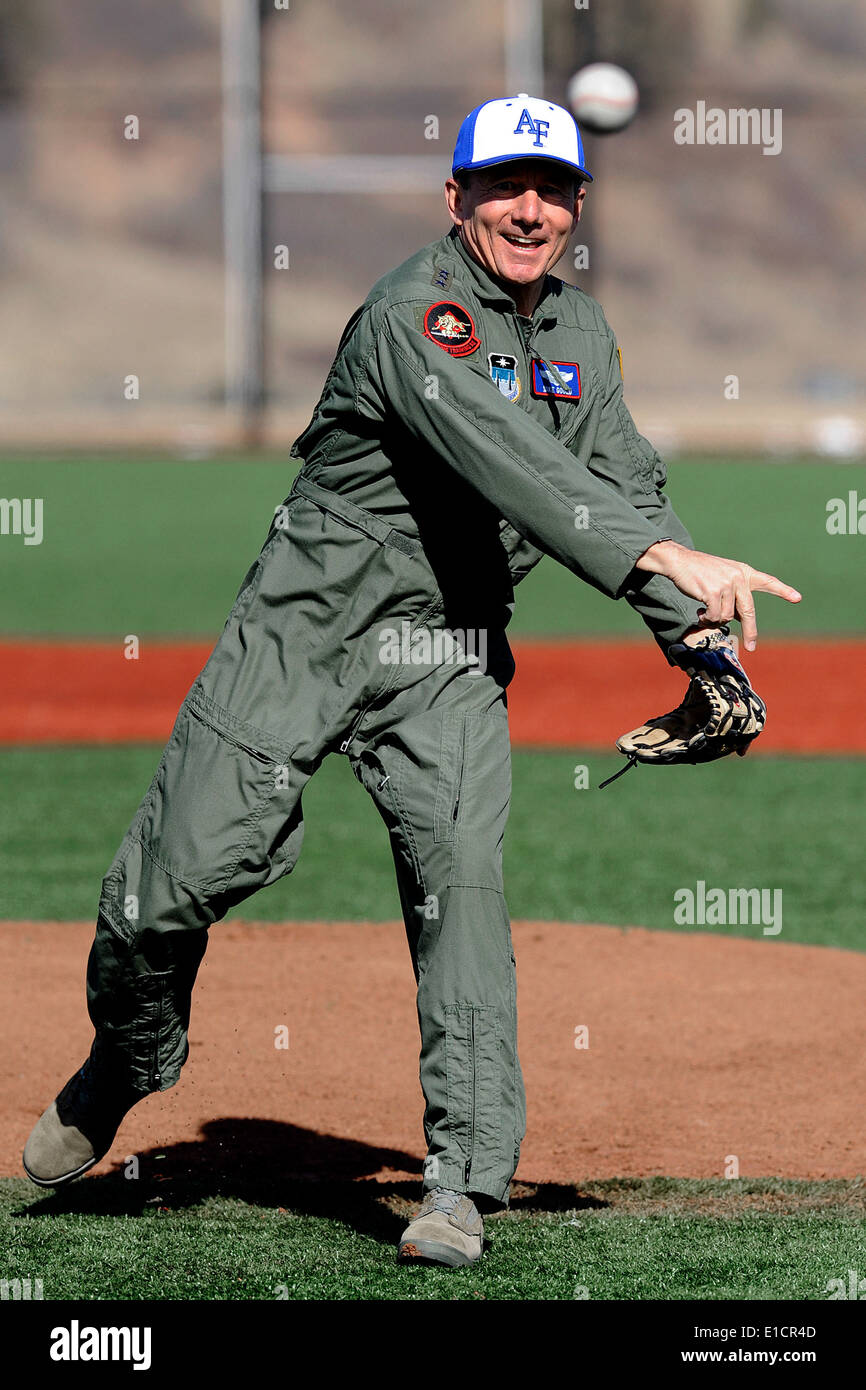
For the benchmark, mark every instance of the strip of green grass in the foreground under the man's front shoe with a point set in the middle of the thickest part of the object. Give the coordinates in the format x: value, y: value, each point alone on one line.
x: 664, y: 1239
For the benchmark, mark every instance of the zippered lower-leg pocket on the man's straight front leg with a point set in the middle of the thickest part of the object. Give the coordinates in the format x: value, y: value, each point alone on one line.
x: 472, y: 1071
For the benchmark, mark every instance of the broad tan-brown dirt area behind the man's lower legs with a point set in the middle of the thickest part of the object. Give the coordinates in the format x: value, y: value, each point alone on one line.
x: 701, y: 1047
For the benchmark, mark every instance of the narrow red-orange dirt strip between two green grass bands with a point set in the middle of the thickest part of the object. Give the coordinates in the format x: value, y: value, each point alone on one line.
x: 564, y: 694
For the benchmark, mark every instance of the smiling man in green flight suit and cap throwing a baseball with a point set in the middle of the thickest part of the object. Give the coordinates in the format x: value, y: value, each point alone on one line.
x: 473, y: 420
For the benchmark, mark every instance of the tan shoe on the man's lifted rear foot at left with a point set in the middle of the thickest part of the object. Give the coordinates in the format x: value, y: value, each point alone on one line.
x: 76, y: 1132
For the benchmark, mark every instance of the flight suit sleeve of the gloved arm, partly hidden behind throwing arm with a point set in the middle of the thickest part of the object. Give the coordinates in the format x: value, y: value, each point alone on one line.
x: 629, y: 464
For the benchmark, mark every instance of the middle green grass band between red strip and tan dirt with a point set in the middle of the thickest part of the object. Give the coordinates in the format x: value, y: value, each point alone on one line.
x: 571, y: 856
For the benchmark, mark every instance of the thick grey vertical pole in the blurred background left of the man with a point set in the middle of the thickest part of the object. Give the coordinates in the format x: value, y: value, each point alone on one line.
x: 243, y: 213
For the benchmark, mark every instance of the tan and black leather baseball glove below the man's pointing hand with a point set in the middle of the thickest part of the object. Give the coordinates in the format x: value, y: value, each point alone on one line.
x: 721, y: 714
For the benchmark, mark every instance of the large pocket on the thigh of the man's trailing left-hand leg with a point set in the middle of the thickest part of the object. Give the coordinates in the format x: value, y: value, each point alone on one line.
x: 212, y: 792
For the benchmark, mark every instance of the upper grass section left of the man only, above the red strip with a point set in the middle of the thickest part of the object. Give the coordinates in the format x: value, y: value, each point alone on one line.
x: 145, y: 546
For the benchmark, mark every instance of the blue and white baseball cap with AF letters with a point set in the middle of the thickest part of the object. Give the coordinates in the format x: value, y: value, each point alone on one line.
x: 519, y: 129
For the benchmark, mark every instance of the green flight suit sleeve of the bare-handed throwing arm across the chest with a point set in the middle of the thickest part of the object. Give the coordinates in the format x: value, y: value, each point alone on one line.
x: 511, y: 459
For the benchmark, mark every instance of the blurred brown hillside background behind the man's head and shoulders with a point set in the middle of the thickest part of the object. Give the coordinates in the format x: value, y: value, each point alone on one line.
x: 710, y: 262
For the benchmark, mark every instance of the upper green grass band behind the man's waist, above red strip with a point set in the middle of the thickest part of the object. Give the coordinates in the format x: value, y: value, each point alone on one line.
x: 161, y: 547
